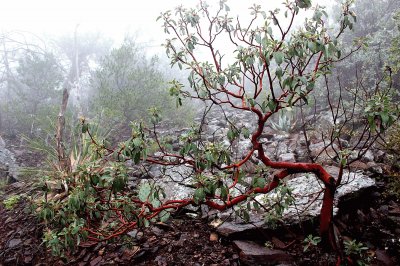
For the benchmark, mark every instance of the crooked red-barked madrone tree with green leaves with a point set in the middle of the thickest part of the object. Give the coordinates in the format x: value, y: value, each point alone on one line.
x: 273, y: 65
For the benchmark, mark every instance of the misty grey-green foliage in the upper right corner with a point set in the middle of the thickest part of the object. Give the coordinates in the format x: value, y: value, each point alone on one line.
x: 377, y: 29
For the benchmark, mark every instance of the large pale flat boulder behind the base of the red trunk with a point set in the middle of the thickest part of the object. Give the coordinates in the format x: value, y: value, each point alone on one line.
x: 307, y: 191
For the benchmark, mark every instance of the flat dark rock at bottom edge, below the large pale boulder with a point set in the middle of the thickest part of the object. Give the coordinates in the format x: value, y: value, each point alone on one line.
x: 252, y: 253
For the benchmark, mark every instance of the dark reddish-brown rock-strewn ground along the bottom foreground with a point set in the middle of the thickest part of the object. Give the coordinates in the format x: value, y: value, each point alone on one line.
x: 373, y: 220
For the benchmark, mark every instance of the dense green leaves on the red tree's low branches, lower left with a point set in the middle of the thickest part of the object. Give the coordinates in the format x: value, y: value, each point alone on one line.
x: 95, y: 193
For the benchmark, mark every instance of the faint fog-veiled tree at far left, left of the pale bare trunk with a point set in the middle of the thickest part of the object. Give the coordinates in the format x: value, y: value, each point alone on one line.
x: 34, y: 92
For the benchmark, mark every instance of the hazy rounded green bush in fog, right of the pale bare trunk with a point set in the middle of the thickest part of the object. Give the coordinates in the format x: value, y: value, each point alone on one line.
x: 126, y: 84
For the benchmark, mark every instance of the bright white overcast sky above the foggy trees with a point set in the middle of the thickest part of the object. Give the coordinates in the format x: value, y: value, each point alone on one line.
x: 113, y: 18
